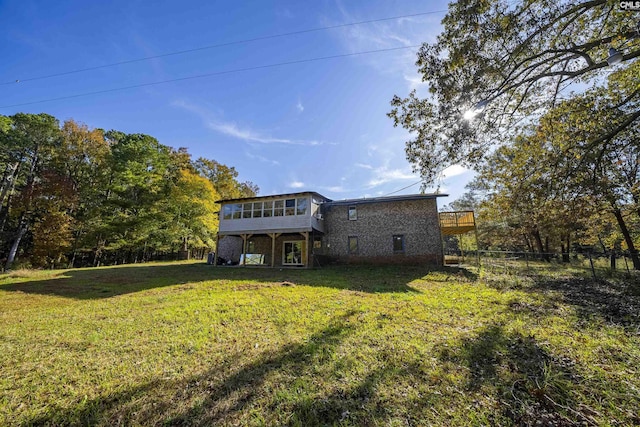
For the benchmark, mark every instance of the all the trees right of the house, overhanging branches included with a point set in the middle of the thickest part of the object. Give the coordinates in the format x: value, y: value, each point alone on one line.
x: 558, y: 169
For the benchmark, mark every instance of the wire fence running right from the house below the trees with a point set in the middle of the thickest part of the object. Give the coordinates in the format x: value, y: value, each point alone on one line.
x: 598, y: 265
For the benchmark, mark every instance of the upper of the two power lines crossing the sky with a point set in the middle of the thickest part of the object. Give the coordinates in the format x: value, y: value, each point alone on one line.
x: 214, y: 46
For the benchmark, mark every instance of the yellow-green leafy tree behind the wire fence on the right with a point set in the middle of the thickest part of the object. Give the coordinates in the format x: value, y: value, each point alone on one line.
x: 547, y: 182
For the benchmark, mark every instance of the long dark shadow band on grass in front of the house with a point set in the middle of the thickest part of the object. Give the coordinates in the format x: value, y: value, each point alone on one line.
x: 106, y: 282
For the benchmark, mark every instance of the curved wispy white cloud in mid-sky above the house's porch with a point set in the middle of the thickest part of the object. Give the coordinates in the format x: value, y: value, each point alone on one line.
x: 233, y: 130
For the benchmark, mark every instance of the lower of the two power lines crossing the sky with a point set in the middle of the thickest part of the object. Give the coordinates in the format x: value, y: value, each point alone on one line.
x: 219, y: 73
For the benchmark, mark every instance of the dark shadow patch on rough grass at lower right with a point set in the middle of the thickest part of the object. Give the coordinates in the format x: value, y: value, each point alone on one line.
x: 532, y: 386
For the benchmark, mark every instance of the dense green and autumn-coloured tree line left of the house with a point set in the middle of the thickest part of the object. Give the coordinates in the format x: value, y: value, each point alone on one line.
x: 75, y: 196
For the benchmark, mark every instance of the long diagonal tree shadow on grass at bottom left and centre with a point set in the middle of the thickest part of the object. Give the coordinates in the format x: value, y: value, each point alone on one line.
x: 248, y: 395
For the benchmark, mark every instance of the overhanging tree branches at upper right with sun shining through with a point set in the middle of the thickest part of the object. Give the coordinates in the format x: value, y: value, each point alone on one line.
x: 507, y: 64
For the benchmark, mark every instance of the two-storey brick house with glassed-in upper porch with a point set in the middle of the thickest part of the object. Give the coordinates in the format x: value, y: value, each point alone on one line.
x: 307, y: 229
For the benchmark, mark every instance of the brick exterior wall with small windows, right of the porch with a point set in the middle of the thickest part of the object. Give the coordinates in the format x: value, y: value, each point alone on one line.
x: 375, y: 226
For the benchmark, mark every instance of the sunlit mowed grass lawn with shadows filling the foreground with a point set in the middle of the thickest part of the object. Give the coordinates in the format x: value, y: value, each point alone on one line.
x: 190, y: 344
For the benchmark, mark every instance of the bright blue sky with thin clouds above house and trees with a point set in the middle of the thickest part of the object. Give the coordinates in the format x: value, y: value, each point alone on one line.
x: 317, y: 125
